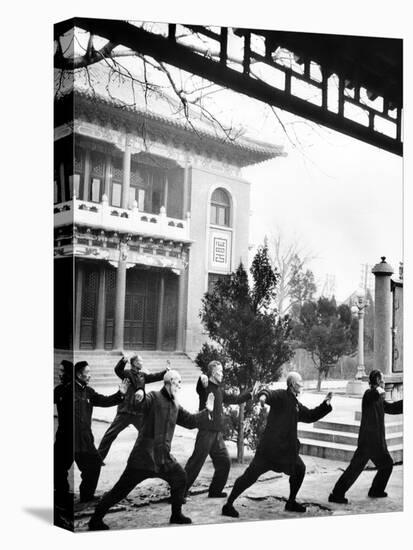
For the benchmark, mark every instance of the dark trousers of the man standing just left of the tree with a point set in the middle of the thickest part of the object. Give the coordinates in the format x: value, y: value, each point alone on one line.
x: 212, y: 444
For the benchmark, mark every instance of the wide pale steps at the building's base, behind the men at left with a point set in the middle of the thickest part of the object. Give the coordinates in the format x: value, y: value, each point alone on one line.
x: 103, y: 363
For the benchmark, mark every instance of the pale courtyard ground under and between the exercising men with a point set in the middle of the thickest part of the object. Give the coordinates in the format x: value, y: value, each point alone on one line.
x: 147, y: 505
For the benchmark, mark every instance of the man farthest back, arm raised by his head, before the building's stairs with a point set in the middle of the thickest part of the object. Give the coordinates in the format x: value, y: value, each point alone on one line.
x: 127, y: 413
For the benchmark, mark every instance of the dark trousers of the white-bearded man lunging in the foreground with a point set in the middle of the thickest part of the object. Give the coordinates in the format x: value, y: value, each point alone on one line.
x: 175, y: 477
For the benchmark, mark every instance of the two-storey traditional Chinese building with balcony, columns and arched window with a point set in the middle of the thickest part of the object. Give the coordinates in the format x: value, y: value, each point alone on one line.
x: 148, y: 213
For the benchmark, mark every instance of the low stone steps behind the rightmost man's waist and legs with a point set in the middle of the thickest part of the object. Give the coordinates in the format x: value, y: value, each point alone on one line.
x: 338, y: 440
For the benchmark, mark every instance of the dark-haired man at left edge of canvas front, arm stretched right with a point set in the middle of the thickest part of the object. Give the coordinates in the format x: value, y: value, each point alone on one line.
x: 86, y: 455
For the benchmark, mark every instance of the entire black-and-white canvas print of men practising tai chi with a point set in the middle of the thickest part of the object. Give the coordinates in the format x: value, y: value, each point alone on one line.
x: 228, y: 274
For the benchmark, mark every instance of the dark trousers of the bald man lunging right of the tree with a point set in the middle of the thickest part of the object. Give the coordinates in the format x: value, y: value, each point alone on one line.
x: 259, y: 467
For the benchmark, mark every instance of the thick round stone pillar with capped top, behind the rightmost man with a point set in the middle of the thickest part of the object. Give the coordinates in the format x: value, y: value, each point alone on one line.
x: 382, y: 316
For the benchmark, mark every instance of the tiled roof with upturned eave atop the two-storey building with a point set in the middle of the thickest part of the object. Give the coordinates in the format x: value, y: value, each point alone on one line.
x: 242, y: 152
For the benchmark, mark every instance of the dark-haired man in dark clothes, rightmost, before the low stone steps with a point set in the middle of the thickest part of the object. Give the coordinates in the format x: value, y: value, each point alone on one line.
x: 371, y: 442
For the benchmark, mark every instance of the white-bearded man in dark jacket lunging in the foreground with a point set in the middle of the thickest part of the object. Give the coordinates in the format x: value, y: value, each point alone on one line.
x: 151, y: 455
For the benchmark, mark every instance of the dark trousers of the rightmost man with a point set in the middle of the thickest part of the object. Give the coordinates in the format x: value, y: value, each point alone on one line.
x: 383, y: 462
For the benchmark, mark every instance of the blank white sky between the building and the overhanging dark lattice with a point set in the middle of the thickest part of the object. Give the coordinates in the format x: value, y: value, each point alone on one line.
x: 340, y: 199
